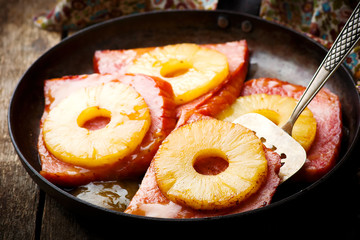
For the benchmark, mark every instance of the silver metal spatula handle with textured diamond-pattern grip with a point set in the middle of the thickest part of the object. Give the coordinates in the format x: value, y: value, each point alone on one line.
x: 344, y: 43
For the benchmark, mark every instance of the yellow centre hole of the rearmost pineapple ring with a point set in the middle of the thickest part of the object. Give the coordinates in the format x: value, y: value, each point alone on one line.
x: 174, y: 68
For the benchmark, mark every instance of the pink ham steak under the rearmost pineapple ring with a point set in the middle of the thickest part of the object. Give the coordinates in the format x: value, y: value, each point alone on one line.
x: 209, y: 104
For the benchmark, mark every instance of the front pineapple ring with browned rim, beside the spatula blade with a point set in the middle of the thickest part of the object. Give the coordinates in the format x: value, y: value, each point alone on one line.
x: 179, y: 181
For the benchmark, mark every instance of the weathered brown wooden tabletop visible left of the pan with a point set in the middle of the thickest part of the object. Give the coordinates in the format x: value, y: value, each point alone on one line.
x: 25, y: 211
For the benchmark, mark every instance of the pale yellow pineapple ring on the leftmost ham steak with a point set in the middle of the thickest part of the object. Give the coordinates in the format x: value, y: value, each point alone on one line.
x: 67, y: 139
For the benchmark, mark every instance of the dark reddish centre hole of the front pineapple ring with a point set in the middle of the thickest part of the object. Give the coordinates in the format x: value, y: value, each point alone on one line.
x: 210, y: 164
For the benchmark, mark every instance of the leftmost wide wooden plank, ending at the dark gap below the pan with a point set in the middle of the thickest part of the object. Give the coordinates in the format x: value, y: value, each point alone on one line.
x: 21, y: 44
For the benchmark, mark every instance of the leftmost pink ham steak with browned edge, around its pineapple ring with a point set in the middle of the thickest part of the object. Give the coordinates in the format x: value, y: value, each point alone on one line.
x: 159, y: 98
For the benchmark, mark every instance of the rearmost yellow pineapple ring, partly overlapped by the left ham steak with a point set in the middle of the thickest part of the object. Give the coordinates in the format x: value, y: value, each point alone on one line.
x: 190, y: 69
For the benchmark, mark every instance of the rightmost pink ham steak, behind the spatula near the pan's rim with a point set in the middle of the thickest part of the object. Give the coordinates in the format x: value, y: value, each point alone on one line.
x: 326, y: 109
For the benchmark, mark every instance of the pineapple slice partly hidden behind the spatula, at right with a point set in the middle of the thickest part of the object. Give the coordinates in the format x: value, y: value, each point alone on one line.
x: 278, y: 109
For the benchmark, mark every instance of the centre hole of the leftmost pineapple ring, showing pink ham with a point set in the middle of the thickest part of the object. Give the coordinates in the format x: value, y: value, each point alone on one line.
x: 94, y: 118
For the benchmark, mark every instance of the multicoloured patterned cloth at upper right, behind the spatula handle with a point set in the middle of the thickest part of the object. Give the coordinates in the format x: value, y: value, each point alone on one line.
x: 321, y: 20
